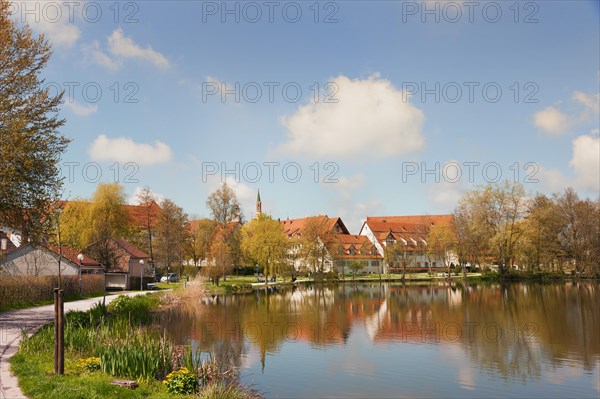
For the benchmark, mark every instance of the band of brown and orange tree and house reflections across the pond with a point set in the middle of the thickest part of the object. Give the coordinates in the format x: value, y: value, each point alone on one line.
x: 539, y: 323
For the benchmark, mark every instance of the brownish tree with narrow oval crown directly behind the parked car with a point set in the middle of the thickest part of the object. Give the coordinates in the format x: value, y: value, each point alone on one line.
x: 171, y: 235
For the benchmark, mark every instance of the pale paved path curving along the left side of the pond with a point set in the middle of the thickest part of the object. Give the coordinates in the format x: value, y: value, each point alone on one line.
x: 11, y: 324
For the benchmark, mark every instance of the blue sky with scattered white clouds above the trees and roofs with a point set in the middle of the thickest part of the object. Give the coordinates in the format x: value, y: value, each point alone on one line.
x: 376, y: 93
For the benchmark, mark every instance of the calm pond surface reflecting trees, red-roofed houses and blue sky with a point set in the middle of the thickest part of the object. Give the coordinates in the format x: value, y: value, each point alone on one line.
x: 390, y: 340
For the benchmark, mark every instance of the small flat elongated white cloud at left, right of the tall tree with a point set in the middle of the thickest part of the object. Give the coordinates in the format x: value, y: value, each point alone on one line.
x: 122, y: 149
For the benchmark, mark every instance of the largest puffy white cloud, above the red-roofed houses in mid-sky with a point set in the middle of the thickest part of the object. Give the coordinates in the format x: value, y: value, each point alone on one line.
x: 371, y: 119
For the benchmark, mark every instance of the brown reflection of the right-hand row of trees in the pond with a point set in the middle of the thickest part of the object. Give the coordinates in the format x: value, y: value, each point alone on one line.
x: 540, y: 323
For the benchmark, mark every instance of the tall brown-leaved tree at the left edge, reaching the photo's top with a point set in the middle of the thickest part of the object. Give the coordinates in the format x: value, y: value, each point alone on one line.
x: 30, y: 145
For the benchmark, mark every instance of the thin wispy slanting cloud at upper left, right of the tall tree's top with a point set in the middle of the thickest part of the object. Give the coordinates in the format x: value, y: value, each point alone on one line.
x: 121, y: 48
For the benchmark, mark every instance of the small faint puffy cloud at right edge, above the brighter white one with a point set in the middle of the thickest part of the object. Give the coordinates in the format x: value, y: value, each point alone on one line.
x: 554, y: 122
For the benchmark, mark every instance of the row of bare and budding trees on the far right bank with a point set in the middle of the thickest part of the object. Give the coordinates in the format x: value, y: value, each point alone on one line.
x: 502, y: 225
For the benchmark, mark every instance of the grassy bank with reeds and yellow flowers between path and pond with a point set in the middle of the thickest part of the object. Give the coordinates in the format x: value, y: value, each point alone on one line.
x: 119, y: 342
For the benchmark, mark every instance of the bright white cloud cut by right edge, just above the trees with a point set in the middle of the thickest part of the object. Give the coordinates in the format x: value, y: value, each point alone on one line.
x: 586, y: 162
